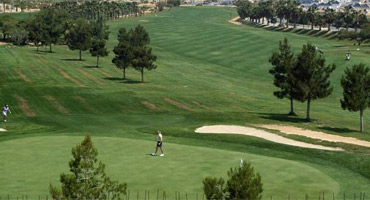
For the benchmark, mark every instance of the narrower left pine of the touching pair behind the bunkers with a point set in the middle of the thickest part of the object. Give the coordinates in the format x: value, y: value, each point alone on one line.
x: 283, y: 61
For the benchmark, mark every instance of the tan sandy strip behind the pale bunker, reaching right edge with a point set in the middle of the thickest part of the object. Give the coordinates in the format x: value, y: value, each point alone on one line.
x: 291, y: 130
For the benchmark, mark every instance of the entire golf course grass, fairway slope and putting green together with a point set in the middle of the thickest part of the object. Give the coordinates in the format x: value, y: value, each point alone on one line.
x: 217, y: 69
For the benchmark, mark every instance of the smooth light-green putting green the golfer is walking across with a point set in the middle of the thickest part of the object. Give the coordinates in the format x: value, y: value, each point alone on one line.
x: 128, y: 160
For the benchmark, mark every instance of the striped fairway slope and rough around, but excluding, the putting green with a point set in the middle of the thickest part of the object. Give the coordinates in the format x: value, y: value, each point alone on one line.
x: 201, y: 58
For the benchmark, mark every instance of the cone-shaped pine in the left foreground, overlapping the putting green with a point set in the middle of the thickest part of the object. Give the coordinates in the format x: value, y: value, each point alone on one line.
x: 87, y: 179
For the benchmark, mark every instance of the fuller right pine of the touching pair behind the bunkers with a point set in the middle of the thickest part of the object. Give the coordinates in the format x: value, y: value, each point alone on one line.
x: 312, y: 76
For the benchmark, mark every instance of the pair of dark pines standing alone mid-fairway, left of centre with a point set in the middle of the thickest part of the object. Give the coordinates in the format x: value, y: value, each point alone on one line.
x: 133, y: 51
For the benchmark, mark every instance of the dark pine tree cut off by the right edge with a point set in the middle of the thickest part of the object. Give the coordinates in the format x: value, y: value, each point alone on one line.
x: 356, y: 90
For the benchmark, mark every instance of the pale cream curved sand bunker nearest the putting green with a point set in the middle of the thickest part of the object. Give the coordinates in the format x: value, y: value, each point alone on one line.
x: 241, y: 130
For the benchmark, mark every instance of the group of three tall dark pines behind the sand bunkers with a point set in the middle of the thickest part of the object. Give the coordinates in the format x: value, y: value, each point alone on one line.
x: 305, y: 78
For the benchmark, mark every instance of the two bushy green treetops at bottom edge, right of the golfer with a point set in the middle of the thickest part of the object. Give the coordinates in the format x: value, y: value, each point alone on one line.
x: 243, y: 183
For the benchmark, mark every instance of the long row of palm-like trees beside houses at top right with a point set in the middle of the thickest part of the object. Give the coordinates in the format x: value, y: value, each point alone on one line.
x: 292, y: 12
